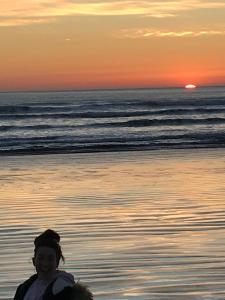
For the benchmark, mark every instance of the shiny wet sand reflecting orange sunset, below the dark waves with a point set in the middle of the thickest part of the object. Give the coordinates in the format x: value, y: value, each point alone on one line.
x: 134, y: 225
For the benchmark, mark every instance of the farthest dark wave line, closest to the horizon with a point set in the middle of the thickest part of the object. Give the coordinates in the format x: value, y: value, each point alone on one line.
x: 115, y: 105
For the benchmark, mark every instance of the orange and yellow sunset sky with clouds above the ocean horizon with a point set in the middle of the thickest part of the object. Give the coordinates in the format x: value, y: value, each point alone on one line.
x: 68, y: 44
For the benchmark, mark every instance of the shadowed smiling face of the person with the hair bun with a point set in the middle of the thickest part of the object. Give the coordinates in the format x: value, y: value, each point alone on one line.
x: 45, y: 262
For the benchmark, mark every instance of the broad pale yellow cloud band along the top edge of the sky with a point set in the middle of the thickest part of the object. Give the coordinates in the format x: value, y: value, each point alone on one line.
x: 42, y: 9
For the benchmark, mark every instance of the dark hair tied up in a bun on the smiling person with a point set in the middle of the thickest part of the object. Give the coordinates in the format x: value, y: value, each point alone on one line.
x: 51, y: 239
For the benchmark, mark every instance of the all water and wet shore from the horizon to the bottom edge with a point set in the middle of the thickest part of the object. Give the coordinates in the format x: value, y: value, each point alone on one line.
x: 134, y: 225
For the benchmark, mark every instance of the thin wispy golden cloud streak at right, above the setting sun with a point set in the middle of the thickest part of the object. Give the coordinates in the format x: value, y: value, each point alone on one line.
x: 148, y: 33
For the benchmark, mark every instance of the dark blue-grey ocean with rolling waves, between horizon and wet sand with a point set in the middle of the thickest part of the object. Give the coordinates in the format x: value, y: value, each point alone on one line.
x: 117, y: 120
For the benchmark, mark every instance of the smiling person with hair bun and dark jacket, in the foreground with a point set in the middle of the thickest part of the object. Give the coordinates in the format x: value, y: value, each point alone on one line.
x: 49, y: 283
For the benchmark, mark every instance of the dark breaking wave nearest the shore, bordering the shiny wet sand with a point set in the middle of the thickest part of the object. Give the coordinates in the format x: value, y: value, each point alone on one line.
x: 60, y: 144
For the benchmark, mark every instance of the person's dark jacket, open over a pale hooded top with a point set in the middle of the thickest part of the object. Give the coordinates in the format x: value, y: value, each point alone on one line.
x: 65, y: 294
